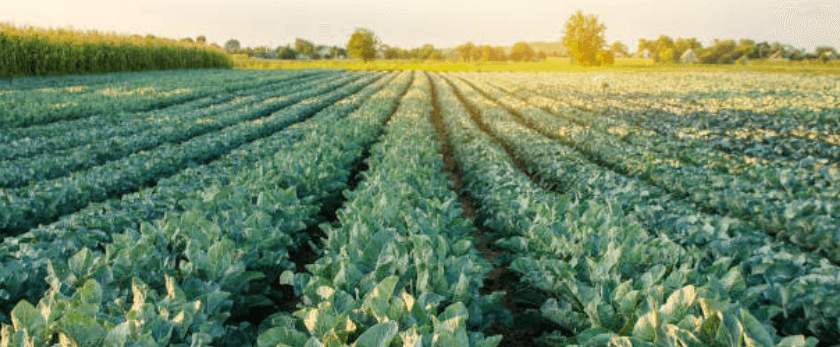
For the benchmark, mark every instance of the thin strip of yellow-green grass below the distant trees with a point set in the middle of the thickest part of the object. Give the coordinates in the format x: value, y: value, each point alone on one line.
x: 549, y: 65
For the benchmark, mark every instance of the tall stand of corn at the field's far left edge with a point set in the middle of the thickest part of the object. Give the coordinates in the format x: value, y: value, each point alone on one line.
x: 37, y: 52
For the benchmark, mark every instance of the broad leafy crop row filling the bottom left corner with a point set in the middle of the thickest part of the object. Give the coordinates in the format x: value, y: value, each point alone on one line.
x: 180, y: 280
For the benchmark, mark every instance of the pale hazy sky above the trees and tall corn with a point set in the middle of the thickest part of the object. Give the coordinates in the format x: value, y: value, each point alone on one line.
x: 443, y: 23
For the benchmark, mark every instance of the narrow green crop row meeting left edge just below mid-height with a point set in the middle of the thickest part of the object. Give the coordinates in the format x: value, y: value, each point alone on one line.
x: 44, y: 201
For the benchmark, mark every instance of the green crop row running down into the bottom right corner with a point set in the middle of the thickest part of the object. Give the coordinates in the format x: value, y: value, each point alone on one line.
x: 808, y: 305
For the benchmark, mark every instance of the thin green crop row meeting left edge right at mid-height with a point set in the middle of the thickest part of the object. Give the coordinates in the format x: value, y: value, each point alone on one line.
x: 168, y: 128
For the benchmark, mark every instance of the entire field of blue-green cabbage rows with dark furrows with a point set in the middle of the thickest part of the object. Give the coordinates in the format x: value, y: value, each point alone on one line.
x: 354, y: 208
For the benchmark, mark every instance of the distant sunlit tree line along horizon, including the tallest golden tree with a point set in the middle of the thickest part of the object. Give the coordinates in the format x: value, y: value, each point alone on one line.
x: 583, y: 41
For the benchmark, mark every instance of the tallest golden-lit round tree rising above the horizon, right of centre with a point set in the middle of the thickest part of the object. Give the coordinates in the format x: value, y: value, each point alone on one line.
x: 584, y: 36
